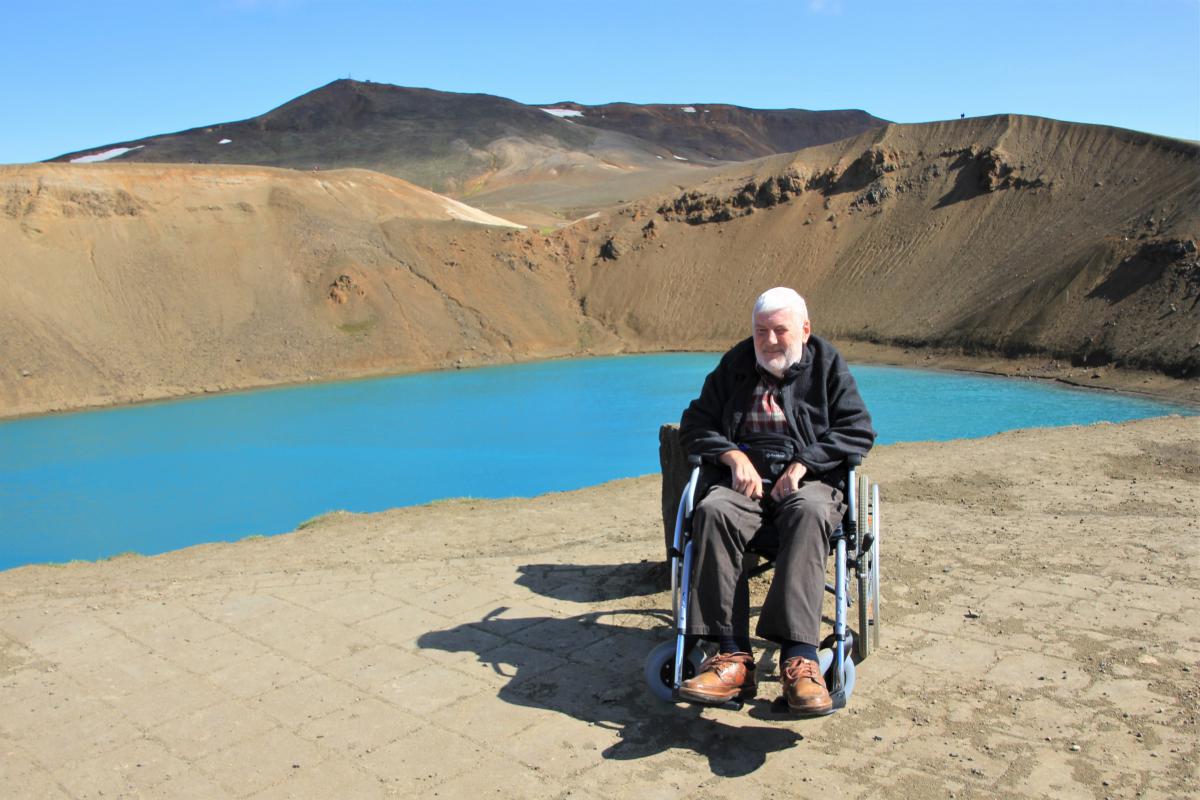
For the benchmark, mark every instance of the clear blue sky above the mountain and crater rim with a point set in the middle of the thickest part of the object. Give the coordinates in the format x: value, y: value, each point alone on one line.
x: 81, y: 75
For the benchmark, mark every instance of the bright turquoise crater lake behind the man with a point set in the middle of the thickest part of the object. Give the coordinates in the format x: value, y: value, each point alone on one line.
x: 157, y: 478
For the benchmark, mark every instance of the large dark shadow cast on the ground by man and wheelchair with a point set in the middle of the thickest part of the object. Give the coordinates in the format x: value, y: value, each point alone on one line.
x: 590, y: 667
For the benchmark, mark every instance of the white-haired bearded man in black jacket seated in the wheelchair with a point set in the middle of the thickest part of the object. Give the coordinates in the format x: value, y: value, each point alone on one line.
x: 775, y: 424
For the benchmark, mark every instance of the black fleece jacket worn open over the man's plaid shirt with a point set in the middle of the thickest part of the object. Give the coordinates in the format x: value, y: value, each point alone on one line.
x: 825, y: 413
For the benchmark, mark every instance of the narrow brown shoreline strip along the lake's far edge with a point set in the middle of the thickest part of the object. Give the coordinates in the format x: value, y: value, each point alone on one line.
x: 1150, y: 386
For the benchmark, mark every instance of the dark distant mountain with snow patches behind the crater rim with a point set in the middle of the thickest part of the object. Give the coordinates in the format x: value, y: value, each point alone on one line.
x: 470, y: 145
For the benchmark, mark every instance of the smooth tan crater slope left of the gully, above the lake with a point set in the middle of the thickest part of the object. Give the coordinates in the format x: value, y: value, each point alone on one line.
x: 134, y: 282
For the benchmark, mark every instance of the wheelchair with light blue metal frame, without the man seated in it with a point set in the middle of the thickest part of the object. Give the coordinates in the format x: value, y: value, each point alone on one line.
x: 855, y: 546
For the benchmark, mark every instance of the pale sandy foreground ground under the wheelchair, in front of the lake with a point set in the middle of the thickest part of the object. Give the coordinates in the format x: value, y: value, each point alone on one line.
x: 1041, y: 592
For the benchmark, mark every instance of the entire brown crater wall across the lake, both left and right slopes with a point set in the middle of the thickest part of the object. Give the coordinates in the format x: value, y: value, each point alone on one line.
x: 1070, y: 246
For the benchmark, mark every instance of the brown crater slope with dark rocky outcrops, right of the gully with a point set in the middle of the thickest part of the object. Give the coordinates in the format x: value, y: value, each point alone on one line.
x: 1004, y: 236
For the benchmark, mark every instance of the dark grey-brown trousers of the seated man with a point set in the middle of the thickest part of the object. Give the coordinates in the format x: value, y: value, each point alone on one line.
x: 725, y: 522
